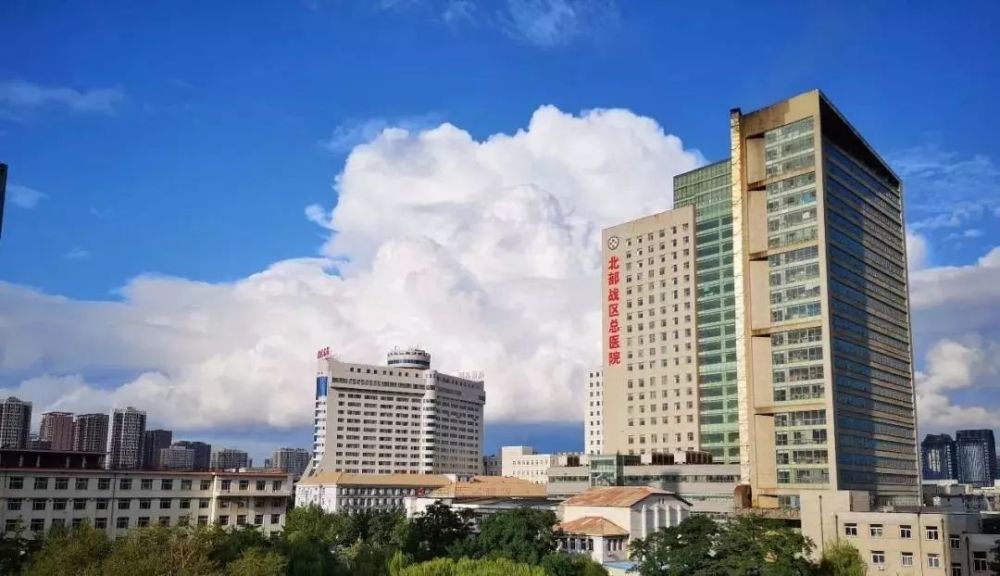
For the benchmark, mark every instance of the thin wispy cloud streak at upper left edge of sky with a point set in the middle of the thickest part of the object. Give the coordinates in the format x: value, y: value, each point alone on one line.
x: 21, y: 95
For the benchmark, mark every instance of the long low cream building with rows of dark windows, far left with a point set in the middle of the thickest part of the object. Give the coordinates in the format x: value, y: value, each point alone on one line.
x: 117, y: 501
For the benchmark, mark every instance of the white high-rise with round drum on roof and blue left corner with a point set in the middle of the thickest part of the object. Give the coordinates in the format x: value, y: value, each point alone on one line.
x: 401, y: 418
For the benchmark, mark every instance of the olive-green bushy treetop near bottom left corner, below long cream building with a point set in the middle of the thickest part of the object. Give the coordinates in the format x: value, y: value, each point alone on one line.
x: 77, y: 552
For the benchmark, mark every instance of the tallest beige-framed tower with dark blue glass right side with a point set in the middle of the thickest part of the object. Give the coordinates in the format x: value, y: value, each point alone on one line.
x: 824, y: 375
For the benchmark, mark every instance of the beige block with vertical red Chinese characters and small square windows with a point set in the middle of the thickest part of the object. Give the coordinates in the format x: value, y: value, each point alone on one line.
x: 650, y: 361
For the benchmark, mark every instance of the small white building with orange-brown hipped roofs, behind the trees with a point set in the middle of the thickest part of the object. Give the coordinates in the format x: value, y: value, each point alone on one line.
x: 601, y: 522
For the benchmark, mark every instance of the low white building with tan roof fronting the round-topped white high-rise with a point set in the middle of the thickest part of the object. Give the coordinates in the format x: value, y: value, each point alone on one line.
x: 343, y: 491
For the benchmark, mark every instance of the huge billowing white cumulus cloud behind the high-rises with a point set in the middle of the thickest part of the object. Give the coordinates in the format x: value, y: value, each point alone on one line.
x: 484, y: 252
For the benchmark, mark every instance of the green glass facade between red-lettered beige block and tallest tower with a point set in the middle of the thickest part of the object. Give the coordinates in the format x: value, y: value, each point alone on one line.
x: 708, y: 190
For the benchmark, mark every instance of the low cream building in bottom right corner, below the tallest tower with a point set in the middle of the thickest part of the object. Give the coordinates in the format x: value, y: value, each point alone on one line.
x: 922, y: 542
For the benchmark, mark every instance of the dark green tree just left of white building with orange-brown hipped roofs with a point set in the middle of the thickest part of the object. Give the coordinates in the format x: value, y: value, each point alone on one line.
x: 523, y: 535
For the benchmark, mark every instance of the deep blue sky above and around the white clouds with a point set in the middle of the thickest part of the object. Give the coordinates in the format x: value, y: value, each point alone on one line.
x: 185, y: 140
